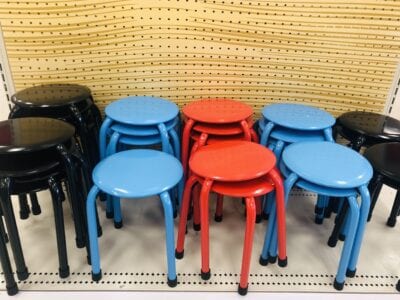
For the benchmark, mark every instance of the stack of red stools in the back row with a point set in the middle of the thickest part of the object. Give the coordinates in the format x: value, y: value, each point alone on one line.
x: 217, y: 117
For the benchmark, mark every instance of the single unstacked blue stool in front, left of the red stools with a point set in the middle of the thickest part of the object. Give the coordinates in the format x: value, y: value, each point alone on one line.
x: 135, y: 174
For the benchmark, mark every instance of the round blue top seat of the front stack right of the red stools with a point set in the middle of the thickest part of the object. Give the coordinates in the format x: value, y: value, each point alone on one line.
x: 327, y: 164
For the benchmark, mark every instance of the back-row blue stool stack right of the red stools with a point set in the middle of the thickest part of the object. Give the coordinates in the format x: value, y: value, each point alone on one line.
x: 284, y: 124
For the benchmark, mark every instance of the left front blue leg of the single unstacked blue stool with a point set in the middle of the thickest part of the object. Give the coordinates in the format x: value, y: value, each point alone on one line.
x: 92, y: 230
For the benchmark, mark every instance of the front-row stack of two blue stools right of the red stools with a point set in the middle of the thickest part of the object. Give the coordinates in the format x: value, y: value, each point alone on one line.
x: 332, y: 170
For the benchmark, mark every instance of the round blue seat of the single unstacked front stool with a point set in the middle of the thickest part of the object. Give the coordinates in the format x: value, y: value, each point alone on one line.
x: 137, y: 173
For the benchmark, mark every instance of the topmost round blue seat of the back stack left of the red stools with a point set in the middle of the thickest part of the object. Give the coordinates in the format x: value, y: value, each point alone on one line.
x: 142, y: 111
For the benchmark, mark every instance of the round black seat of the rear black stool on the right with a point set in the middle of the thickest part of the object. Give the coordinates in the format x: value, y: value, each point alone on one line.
x: 367, y: 128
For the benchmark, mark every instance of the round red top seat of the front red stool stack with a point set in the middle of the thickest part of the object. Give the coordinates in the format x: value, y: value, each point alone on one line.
x: 232, y: 161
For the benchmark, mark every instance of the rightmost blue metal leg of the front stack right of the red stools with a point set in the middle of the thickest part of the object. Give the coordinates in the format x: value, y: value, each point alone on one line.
x: 365, y: 205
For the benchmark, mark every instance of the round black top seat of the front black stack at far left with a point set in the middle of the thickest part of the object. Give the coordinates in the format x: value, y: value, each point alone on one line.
x: 32, y: 134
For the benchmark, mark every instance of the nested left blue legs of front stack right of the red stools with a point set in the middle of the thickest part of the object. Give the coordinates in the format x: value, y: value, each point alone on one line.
x: 270, y: 241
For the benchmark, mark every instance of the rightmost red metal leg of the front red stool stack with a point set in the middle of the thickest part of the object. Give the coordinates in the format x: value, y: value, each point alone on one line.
x: 276, y: 178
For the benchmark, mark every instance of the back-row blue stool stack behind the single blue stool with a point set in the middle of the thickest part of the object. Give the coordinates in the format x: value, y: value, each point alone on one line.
x: 139, y: 121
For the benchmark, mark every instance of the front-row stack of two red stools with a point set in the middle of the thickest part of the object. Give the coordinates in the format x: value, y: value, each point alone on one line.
x: 238, y: 169
